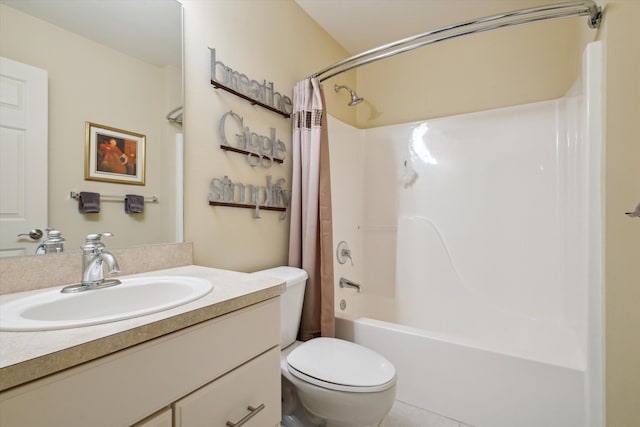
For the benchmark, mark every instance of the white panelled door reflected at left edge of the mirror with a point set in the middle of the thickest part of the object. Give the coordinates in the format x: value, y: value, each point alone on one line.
x: 23, y: 155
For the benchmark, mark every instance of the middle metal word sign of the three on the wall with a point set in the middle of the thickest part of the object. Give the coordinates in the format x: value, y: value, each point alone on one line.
x: 261, y: 150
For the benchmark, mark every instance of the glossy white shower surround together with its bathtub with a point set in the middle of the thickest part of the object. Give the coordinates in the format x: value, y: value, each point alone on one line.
x: 483, y: 269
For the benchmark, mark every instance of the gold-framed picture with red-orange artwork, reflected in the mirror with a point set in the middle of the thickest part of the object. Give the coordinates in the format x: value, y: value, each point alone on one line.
x: 114, y: 155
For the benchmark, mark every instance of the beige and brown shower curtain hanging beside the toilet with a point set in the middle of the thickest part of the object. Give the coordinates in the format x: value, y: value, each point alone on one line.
x: 310, y: 238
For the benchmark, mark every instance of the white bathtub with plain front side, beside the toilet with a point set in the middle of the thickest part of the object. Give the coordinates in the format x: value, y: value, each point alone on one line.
x: 469, y: 383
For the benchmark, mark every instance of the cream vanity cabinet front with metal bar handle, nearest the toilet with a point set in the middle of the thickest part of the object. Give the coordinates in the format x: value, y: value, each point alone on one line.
x: 249, y: 393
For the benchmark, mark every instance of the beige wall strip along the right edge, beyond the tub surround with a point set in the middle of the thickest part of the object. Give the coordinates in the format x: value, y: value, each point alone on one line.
x: 621, y: 34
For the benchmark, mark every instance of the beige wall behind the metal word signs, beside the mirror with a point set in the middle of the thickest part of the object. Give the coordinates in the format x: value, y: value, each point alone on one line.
x: 271, y: 40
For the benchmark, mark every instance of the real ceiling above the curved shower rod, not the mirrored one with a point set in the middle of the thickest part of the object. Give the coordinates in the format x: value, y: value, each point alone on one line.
x: 359, y: 25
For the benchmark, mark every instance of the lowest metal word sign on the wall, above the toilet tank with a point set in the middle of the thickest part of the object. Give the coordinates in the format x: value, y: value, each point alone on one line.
x: 273, y: 196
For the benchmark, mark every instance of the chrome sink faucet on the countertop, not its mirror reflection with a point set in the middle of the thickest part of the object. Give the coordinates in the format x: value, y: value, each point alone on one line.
x: 94, y: 257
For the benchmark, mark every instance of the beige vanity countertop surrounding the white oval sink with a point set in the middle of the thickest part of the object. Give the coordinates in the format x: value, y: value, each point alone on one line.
x: 27, y: 356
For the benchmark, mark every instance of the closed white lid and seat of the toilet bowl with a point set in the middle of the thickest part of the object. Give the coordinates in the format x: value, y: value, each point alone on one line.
x: 341, y: 365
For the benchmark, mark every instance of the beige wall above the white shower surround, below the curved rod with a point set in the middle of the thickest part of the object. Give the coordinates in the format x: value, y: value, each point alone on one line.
x: 511, y: 66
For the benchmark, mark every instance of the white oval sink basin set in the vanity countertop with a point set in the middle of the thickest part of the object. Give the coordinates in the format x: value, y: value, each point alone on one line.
x: 135, y: 297
